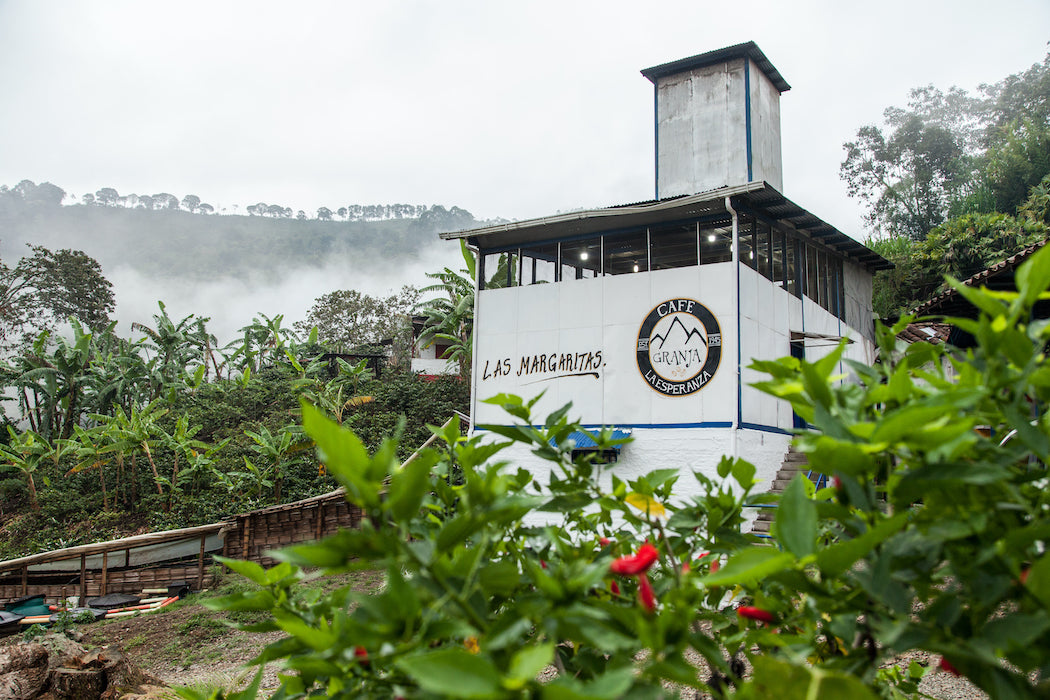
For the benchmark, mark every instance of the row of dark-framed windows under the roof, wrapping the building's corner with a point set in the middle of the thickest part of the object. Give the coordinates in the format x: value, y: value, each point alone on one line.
x: 782, y: 257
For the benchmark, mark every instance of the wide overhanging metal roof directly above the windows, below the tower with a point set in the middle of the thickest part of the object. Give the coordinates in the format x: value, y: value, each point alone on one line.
x: 755, y: 196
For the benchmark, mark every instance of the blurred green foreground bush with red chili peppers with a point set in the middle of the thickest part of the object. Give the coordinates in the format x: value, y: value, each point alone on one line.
x: 932, y: 537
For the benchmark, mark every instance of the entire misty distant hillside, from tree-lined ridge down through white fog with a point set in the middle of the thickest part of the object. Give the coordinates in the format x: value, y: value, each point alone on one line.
x: 230, y: 268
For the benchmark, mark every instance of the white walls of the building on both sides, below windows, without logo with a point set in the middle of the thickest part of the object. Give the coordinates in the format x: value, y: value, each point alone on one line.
x: 526, y: 333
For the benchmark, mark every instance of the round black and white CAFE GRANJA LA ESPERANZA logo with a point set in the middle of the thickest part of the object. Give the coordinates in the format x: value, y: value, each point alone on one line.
x: 680, y: 347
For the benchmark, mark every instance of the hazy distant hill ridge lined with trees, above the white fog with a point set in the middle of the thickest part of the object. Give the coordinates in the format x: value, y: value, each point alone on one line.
x: 174, y: 243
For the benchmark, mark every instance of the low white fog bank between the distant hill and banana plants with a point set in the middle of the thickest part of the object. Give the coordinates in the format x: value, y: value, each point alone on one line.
x: 232, y: 304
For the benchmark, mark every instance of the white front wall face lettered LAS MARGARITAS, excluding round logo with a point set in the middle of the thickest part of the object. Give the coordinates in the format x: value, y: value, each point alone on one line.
x: 597, y: 323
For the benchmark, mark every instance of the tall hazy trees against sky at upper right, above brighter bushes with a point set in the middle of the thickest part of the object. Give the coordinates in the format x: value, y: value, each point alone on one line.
x: 953, y: 154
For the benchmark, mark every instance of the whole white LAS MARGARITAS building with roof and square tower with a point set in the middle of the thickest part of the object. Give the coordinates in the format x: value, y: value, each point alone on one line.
x: 646, y: 316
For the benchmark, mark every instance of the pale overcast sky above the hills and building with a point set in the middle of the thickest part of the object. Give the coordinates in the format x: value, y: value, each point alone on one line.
x: 507, y: 110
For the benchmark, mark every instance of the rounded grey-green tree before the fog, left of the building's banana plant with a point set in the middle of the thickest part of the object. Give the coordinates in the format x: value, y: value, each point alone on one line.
x: 348, y: 319
